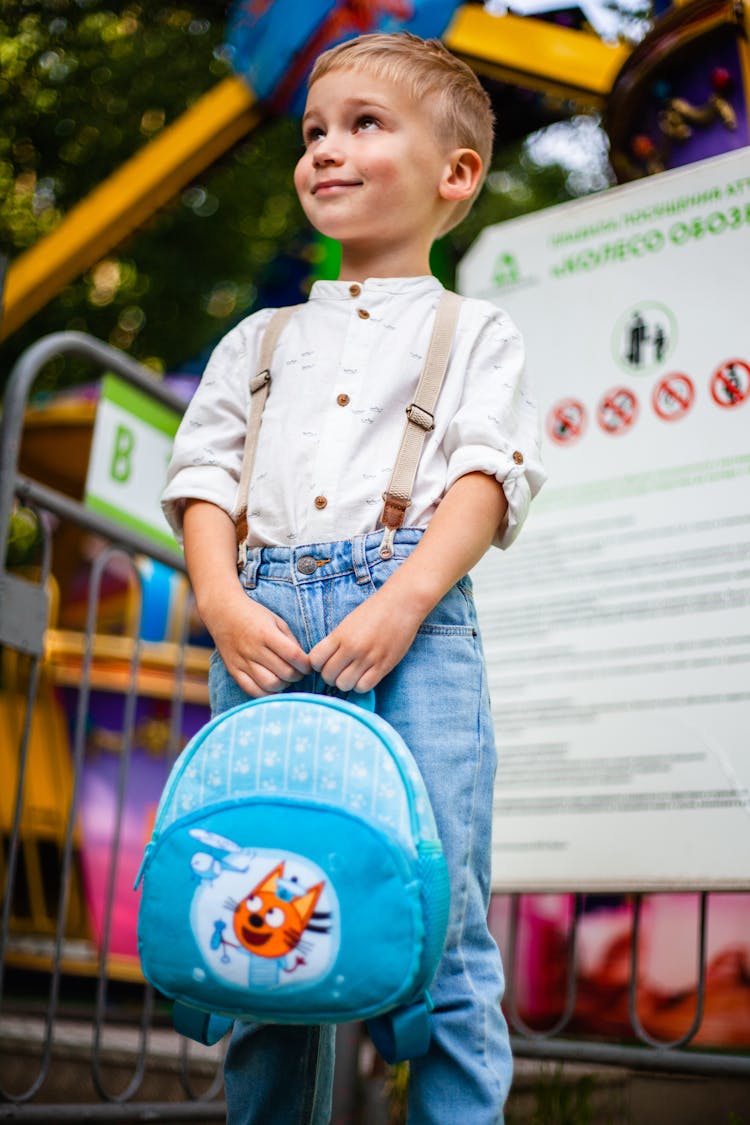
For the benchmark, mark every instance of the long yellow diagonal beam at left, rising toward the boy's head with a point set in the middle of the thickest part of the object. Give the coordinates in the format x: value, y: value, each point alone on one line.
x: 128, y: 199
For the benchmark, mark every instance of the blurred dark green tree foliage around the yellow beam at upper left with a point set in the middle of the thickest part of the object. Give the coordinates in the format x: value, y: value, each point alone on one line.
x: 84, y: 85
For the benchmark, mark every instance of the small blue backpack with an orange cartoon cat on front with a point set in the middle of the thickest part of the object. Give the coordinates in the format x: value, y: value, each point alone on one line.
x: 295, y: 876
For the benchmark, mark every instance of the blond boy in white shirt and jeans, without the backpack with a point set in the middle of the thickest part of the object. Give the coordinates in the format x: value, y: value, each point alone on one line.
x: 397, y: 140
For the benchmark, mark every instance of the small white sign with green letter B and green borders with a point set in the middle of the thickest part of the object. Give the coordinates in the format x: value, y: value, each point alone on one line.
x: 131, y: 449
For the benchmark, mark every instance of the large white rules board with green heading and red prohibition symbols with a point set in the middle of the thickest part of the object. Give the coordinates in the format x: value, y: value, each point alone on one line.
x: 618, y: 628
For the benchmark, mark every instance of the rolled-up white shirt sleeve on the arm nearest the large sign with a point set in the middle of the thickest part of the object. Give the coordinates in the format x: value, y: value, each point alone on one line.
x: 496, y: 429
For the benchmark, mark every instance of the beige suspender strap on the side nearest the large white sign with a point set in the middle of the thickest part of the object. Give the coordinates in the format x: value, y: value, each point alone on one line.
x: 421, y: 419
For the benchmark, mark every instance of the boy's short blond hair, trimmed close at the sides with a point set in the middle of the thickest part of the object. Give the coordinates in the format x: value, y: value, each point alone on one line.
x: 455, y: 98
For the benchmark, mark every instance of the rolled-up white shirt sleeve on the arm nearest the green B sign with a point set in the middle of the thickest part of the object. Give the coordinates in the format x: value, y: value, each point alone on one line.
x: 207, y: 454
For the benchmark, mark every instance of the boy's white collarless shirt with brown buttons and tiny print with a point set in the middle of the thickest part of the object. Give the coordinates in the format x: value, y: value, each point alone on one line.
x: 344, y: 373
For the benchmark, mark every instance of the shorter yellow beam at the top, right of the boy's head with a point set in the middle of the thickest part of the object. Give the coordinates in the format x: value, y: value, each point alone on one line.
x: 536, y: 55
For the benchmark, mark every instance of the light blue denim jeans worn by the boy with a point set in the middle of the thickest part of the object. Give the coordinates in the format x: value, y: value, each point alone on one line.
x: 437, y: 698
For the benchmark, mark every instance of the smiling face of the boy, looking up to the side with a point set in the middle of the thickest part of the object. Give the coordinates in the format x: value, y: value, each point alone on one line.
x: 373, y: 167
